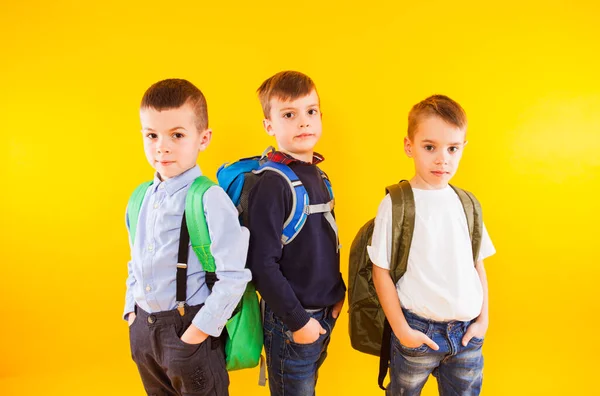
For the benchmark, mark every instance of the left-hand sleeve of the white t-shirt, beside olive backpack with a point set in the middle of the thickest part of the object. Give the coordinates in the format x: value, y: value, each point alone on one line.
x: 380, y: 250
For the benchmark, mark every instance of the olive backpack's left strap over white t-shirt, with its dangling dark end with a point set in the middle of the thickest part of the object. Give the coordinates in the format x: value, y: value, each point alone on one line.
x: 403, y: 224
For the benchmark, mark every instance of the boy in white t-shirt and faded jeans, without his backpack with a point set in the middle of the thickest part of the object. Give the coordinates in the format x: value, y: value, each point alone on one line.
x: 438, y: 311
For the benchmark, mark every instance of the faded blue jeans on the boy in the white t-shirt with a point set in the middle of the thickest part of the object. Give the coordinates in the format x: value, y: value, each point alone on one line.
x: 457, y: 368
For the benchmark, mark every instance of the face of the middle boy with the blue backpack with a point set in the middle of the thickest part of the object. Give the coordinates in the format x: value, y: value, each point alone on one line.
x: 296, y: 125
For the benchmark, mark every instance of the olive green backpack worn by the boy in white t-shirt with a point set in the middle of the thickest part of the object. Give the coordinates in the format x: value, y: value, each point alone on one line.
x: 369, y: 330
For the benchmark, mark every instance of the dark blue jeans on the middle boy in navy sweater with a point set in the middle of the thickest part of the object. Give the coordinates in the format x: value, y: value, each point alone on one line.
x: 293, y: 367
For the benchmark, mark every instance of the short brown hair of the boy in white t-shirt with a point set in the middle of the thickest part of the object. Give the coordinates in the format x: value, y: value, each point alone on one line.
x: 439, y: 106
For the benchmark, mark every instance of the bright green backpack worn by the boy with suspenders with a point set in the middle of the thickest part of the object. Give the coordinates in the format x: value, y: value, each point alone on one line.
x: 244, y: 335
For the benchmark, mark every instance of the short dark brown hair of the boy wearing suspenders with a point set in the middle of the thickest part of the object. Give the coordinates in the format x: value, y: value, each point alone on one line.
x: 174, y: 93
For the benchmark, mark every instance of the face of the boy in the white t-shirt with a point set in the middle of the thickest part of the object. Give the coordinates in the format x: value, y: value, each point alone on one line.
x: 436, y: 148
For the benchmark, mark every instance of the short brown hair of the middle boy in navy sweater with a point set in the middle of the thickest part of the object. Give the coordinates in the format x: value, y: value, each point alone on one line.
x: 286, y: 86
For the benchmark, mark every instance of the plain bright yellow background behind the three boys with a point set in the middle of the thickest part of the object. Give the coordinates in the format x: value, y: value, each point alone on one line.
x: 72, y: 74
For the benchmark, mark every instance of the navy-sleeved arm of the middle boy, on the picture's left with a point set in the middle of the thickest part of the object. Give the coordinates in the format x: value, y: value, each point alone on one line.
x: 268, y: 205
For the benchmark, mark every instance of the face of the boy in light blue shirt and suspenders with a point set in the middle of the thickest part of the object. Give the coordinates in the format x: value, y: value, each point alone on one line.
x: 172, y: 141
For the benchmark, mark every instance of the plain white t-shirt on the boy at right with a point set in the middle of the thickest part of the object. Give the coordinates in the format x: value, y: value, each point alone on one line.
x: 440, y: 282
